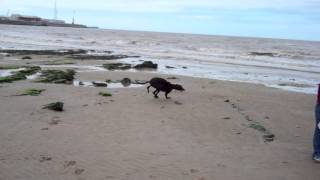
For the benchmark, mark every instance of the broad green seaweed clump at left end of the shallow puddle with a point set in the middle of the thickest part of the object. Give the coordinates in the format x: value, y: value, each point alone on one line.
x: 57, y: 76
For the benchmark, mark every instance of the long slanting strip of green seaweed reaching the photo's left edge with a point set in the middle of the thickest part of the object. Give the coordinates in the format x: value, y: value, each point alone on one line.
x: 20, y: 75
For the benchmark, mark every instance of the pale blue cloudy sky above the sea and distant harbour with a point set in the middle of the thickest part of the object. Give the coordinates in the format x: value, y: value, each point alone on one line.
x: 288, y: 19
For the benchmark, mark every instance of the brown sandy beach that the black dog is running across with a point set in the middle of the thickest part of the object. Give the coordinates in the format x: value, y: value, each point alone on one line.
x: 195, y: 135
